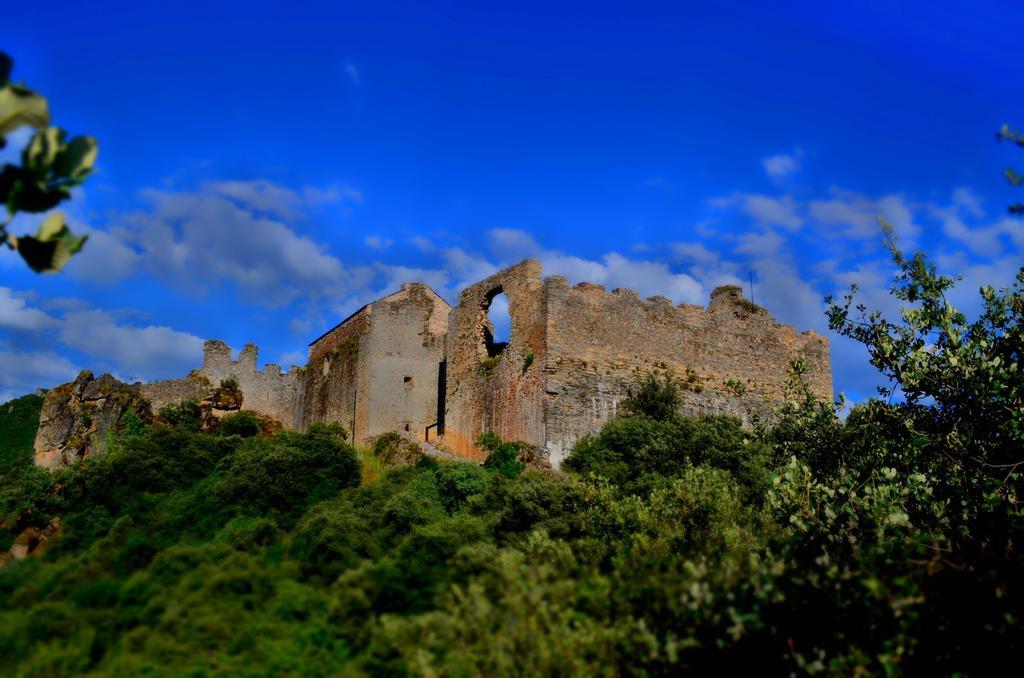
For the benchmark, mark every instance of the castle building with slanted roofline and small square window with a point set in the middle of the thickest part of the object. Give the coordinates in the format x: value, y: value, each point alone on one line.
x: 377, y: 372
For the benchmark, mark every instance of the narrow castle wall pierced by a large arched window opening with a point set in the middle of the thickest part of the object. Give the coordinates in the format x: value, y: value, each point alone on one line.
x: 503, y: 396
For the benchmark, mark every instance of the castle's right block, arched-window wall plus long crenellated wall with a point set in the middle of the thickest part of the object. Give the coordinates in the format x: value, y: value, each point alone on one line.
x: 576, y: 352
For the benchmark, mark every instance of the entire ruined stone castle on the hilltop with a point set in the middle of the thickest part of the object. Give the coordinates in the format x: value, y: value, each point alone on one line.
x: 410, y: 363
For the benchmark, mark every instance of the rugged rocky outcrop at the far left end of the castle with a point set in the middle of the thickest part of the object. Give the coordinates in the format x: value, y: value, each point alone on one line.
x: 78, y: 419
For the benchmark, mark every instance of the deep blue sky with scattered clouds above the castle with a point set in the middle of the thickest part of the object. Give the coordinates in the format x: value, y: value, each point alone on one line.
x: 266, y: 168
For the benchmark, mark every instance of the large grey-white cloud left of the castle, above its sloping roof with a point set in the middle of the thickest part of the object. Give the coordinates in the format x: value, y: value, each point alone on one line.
x: 224, y: 232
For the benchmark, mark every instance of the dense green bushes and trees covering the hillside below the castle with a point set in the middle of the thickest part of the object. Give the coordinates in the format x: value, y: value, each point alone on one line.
x: 886, y: 542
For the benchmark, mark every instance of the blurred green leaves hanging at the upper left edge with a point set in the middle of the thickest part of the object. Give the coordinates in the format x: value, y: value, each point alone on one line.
x: 51, y: 166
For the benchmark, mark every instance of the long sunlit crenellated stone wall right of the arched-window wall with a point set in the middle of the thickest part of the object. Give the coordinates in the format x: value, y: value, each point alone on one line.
x: 600, y: 344
